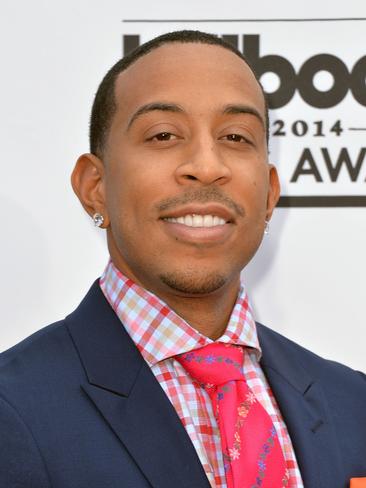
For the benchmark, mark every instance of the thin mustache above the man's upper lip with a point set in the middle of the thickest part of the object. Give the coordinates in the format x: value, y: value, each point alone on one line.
x: 201, y: 195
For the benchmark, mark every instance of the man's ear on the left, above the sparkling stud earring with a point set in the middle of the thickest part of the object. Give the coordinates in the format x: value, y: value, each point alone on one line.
x: 88, y: 183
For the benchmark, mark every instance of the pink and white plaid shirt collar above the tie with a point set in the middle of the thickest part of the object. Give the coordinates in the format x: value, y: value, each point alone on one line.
x: 158, y: 332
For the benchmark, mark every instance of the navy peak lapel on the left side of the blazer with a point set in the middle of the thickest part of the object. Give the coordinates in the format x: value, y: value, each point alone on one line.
x: 130, y: 399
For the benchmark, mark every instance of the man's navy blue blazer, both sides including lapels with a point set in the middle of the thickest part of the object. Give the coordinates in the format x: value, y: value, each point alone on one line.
x: 80, y: 408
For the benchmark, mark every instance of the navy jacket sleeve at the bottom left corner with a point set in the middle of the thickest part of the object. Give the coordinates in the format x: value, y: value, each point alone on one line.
x: 21, y: 465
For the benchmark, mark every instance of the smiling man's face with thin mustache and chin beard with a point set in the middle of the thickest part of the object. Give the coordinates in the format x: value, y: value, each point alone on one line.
x: 187, y: 182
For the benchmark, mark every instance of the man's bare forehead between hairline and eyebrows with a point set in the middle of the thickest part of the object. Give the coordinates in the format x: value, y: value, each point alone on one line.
x: 196, y: 76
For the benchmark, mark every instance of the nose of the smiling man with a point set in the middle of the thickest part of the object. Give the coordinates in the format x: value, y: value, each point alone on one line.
x: 203, y: 162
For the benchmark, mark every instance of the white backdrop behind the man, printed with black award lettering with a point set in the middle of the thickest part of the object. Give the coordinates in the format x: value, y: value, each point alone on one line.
x: 308, y: 279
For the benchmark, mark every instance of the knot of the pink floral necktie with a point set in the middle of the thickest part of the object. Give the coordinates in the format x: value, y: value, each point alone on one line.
x: 214, y: 364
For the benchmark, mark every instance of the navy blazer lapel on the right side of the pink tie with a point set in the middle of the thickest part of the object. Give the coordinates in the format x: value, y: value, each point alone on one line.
x: 304, y: 409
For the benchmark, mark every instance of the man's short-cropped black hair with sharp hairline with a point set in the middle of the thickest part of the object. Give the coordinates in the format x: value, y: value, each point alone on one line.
x: 104, y: 105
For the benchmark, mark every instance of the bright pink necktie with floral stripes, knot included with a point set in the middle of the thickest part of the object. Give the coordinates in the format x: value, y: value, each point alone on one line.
x: 252, y: 454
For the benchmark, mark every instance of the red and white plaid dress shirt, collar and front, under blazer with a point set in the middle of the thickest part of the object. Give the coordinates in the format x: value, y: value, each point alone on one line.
x: 160, y: 334
